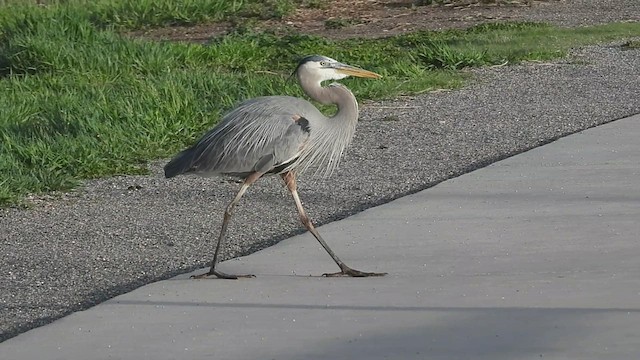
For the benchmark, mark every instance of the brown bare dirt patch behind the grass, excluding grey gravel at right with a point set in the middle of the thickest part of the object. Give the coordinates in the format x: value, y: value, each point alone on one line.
x: 355, y: 18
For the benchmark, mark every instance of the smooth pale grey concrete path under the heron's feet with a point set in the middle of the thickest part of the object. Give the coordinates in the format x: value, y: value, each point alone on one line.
x: 536, y: 256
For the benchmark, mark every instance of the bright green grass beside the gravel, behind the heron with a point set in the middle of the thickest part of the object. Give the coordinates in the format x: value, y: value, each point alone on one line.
x: 79, y: 101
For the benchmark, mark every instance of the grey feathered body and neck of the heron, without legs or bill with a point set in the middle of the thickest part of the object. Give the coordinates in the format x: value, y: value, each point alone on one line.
x: 262, y: 133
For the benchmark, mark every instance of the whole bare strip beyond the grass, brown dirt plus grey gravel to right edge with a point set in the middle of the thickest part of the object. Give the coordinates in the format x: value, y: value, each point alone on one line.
x: 366, y: 18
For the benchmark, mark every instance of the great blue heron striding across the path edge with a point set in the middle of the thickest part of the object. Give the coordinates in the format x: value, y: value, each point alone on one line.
x: 280, y: 135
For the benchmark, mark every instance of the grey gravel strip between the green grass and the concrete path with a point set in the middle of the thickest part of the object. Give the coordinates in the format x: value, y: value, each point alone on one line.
x: 119, y: 233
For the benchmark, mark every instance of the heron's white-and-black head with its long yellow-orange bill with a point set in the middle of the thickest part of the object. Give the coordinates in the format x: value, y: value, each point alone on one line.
x: 322, y: 68
